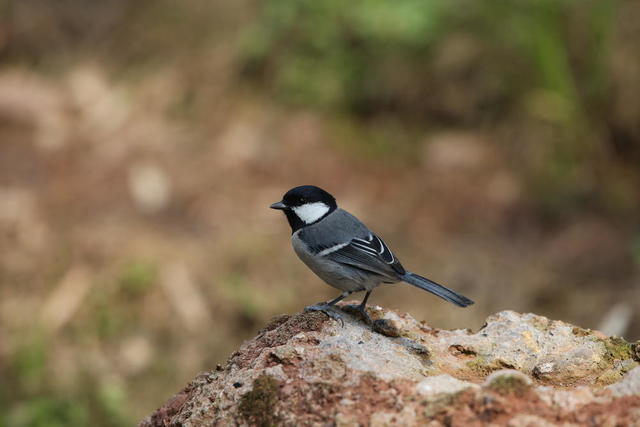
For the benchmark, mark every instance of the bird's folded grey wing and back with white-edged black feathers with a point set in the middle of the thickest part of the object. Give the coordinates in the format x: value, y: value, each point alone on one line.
x: 350, y: 242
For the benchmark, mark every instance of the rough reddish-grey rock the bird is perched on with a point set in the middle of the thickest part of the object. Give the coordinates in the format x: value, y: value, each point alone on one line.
x: 517, y: 370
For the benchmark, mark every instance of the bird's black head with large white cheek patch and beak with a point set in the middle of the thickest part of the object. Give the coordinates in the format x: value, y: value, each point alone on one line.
x: 305, y: 205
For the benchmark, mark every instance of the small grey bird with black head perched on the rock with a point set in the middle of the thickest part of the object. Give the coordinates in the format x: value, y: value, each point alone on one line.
x: 344, y: 253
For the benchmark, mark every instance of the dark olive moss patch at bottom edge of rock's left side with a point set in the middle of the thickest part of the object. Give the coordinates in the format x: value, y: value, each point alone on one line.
x: 257, y: 406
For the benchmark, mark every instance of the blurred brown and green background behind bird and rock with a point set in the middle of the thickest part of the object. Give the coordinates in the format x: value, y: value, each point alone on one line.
x: 494, y: 145
